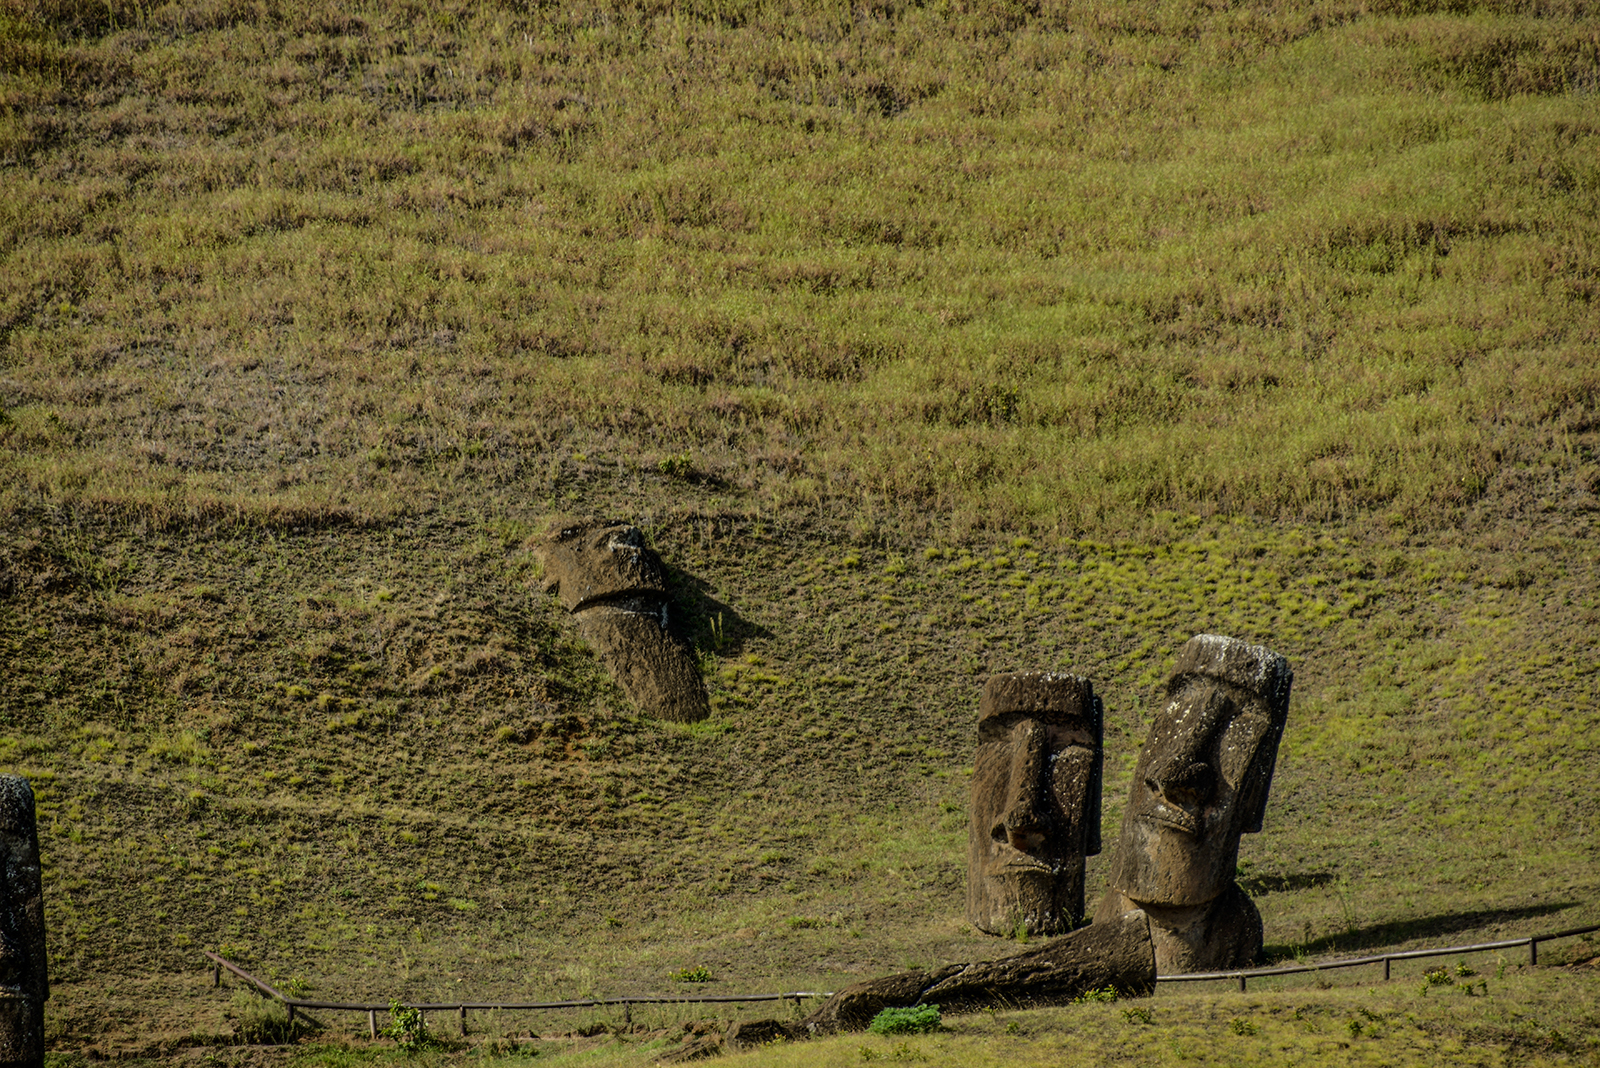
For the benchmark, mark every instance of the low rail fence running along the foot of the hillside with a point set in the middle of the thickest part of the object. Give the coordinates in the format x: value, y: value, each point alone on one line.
x: 462, y: 1008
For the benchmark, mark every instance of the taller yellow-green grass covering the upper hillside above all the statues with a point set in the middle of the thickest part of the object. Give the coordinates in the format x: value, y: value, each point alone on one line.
x: 975, y: 269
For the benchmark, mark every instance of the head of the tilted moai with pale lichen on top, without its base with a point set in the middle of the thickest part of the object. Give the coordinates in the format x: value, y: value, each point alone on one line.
x: 1204, y: 773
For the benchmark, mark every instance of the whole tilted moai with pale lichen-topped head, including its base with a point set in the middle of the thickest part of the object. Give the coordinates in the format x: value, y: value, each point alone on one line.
x: 1202, y: 781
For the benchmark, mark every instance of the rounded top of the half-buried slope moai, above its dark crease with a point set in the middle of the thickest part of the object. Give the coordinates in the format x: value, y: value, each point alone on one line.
x: 601, y: 559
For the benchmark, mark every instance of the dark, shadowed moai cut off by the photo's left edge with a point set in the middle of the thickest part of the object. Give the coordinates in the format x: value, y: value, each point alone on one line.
x: 23, y: 978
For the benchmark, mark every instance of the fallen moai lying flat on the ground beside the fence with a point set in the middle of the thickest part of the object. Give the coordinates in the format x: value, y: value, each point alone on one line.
x: 1118, y: 954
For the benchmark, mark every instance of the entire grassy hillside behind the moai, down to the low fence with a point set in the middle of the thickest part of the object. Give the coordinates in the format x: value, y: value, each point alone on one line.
x: 924, y: 341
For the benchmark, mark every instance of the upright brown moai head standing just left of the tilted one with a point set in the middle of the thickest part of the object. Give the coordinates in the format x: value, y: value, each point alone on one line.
x: 1036, y: 803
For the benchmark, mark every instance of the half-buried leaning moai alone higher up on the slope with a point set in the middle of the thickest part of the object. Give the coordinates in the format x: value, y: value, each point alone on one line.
x: 614, y: 583
